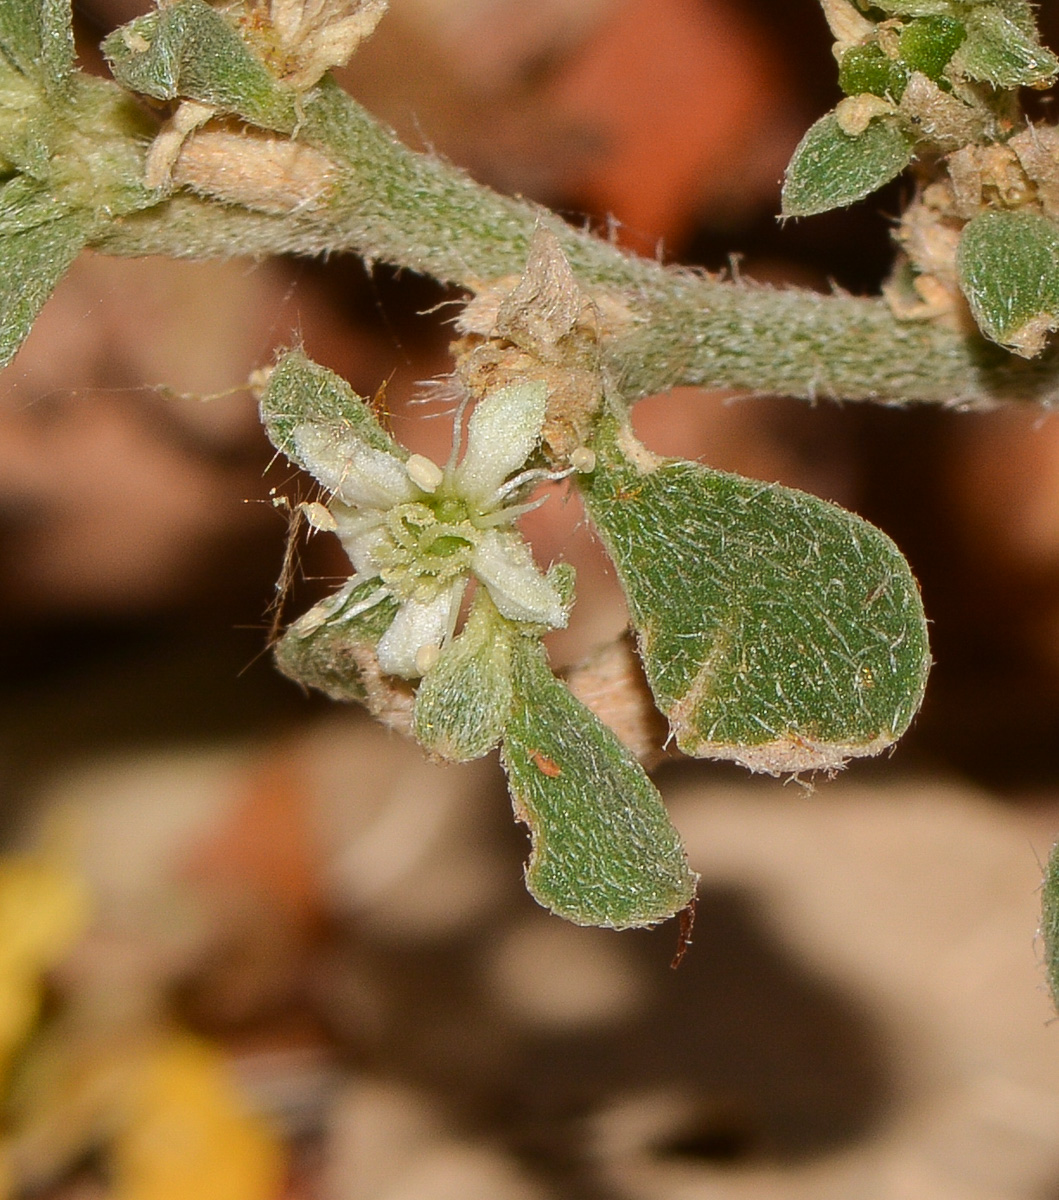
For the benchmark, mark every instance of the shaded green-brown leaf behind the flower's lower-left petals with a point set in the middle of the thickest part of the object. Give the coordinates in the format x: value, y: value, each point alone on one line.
x: 333, y: 652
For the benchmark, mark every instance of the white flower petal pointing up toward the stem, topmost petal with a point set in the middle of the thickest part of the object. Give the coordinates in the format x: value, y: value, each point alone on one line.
x: 502, y: 434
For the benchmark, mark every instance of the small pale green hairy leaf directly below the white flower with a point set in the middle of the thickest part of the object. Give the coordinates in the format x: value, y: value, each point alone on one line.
x: 465, y: 700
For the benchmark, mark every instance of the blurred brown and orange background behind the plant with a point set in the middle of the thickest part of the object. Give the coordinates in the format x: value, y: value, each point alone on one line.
x: 141, y: 549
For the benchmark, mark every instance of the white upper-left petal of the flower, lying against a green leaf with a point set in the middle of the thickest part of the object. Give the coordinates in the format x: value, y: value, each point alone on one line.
x: 356, y: 472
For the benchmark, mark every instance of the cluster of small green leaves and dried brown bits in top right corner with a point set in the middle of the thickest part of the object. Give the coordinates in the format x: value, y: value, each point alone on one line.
x: 936, y: 81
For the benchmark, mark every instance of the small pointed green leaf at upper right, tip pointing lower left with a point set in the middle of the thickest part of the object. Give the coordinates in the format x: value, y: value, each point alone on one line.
x: 831, y: 170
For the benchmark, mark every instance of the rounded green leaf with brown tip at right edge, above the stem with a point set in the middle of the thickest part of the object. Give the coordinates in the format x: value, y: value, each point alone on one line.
x: 1008, y: 265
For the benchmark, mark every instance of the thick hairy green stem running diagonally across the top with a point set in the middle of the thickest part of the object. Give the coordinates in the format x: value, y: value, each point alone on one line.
x: 678, y: 327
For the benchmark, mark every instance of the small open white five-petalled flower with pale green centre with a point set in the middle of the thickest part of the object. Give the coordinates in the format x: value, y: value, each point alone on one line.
x: 423, y: 531
